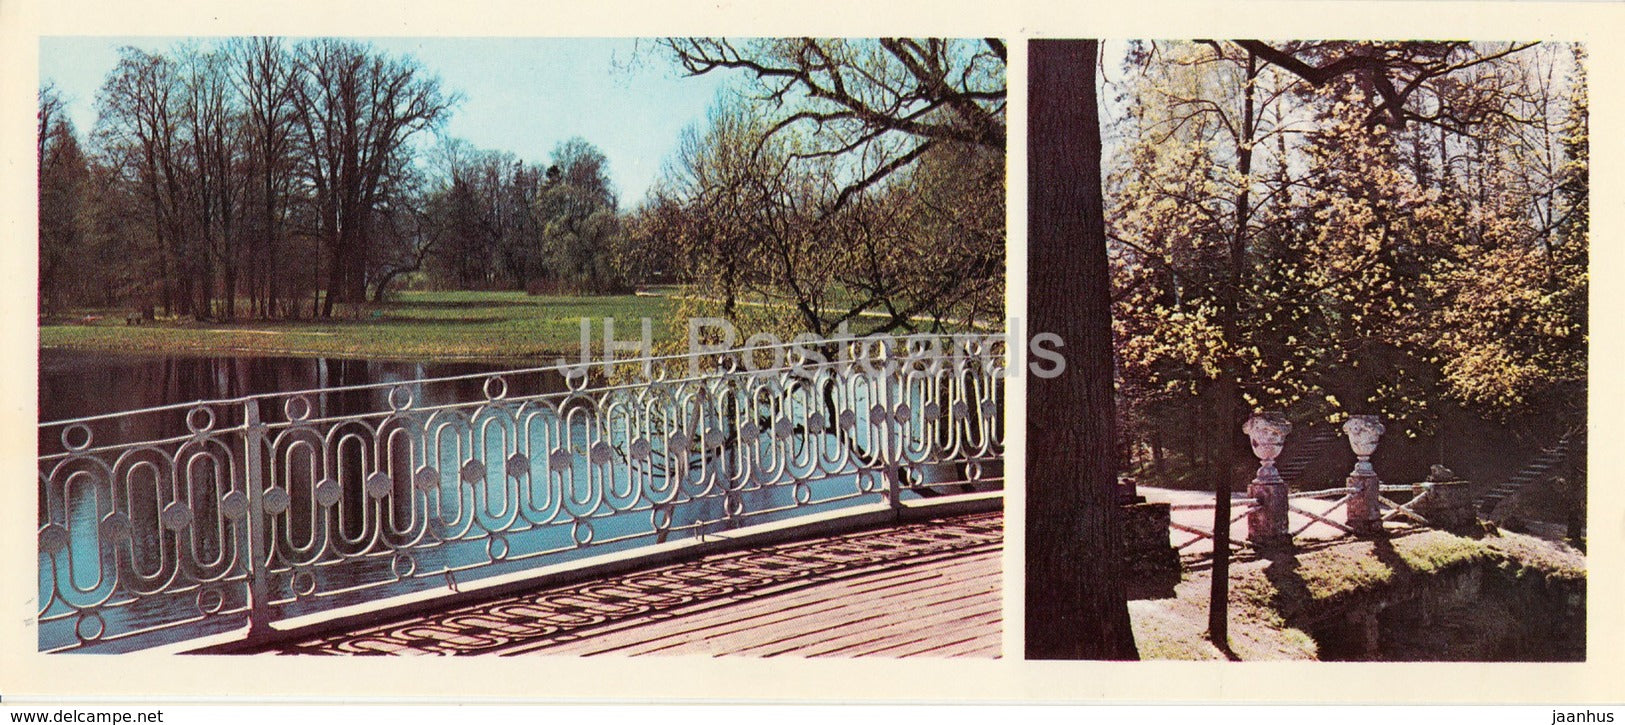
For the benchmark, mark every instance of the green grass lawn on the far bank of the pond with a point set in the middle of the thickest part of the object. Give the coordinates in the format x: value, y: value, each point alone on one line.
x: 414, y: 326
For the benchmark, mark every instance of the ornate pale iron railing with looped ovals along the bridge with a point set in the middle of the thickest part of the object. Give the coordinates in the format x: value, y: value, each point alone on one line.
x: 193, y: 519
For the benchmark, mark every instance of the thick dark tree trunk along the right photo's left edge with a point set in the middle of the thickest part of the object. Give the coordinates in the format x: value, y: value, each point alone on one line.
x: 1077, y: 596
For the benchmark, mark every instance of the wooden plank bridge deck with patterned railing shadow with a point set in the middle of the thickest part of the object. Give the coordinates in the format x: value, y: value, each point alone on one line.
x: 925, y: 589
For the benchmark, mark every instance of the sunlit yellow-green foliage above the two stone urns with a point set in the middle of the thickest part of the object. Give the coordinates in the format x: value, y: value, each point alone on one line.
x: 1337, y: 263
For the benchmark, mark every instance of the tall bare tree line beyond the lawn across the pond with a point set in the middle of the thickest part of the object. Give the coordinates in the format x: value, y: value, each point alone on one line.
x: 267, y: 178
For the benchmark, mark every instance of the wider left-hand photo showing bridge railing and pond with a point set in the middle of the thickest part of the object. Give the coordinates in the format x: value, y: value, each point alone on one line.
x: 457, y: 345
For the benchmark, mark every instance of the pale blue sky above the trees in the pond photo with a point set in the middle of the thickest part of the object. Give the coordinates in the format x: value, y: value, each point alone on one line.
x: 521, y: 95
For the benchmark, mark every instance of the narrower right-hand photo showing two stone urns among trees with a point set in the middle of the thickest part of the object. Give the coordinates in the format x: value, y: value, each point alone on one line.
x: 1319, y: 363
